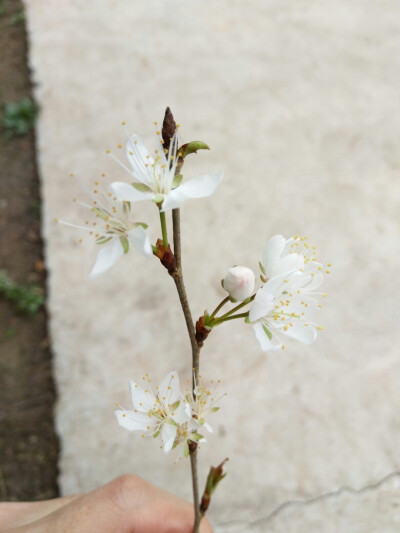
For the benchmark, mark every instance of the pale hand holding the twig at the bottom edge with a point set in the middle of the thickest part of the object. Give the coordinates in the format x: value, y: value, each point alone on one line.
x: 126, y: 505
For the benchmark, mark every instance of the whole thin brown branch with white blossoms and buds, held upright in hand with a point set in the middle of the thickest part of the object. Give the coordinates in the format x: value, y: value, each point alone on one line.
x: 283, y: 307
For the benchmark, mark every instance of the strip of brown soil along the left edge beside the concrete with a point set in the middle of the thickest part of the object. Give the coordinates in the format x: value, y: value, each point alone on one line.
x: 28, y: 443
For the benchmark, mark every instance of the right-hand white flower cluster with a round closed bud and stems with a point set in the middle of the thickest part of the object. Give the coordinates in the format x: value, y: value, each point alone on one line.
x: 286, y: 303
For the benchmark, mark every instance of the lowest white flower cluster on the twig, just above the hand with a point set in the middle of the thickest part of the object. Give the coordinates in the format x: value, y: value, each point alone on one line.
x: 166, y: 412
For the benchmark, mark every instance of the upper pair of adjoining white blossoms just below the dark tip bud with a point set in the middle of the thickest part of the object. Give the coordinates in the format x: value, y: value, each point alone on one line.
x: 156, y: 179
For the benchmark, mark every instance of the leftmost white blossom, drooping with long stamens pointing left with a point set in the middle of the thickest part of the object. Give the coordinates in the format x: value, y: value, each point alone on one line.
x: 113, y: 228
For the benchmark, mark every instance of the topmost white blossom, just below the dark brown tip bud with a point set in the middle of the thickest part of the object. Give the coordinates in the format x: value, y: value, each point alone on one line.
x: 156, y: 180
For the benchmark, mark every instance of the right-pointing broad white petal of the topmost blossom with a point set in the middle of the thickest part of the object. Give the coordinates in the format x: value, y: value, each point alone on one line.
x: 198, y: 187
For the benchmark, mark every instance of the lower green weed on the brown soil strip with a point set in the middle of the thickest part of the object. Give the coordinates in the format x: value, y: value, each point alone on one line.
x: 27, y: 299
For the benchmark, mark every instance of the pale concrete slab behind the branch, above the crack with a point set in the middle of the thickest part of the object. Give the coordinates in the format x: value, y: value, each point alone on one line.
x: 299, y: 102
